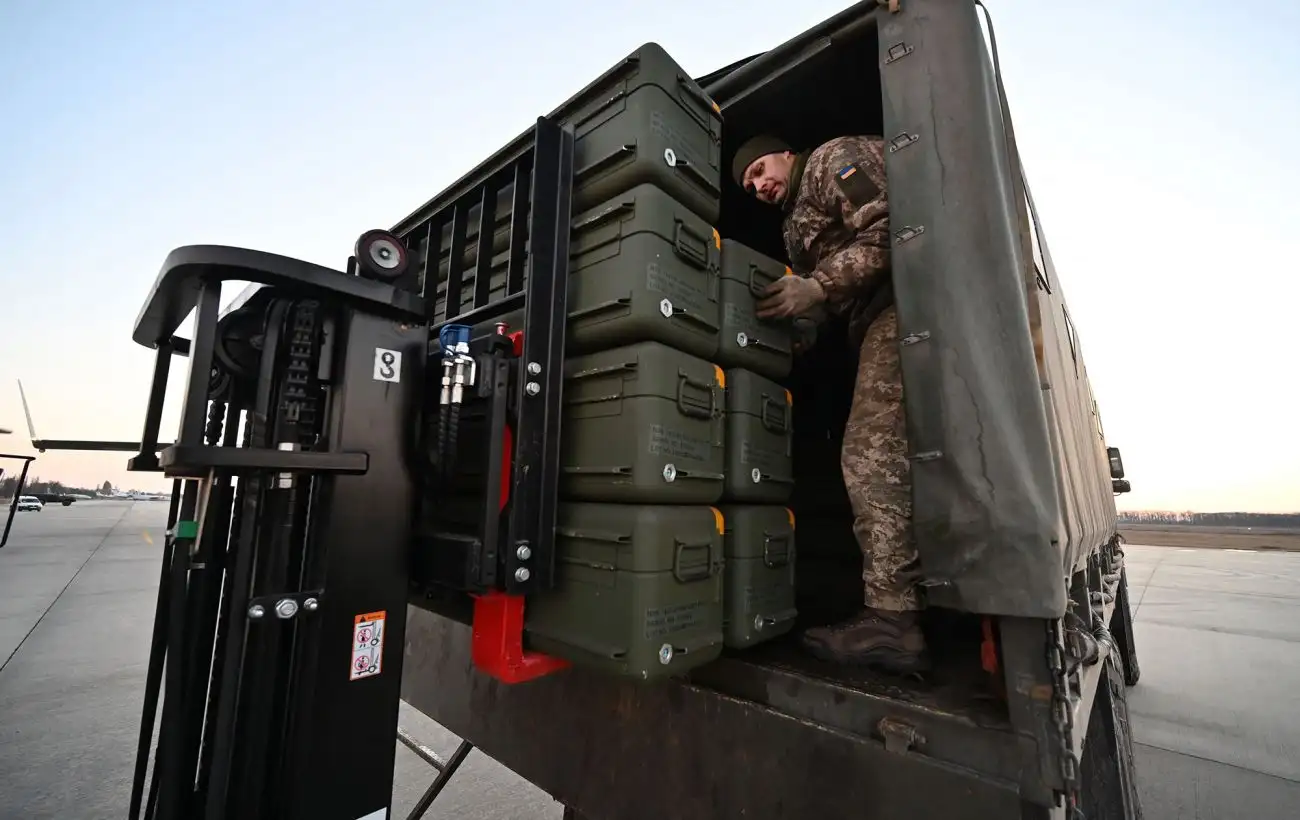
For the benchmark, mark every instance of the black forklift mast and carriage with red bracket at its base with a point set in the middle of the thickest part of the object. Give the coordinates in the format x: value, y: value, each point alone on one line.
x: 302, y: 454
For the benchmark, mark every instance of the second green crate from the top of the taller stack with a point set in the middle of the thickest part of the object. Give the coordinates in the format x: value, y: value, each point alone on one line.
x: 643, y: 268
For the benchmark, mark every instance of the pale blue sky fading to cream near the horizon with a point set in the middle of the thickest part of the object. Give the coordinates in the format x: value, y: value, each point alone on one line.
x: 1160, y: 140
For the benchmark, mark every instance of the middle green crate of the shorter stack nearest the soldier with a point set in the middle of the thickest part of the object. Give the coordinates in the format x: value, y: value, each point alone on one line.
x: 760, y: 441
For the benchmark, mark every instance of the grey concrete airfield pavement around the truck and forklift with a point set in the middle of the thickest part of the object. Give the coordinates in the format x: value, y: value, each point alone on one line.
x: 1217, y: 713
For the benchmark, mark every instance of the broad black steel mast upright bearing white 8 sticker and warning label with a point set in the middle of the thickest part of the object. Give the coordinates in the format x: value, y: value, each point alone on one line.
x: 345, y: 745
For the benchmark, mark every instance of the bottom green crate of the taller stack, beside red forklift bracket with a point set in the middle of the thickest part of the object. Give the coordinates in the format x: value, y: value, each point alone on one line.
x: 639, y: 589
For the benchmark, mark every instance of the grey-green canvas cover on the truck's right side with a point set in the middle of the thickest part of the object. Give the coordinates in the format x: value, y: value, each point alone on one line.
x: 1008, y: 466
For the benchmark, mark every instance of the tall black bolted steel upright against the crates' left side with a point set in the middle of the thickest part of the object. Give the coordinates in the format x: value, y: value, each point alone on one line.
x: 541, y: 376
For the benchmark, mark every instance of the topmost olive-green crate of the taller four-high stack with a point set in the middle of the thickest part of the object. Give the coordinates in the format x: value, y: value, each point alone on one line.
x: 643, y: 122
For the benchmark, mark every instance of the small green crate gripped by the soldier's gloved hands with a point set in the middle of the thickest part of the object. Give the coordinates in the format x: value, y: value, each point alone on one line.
x: 764, y: 346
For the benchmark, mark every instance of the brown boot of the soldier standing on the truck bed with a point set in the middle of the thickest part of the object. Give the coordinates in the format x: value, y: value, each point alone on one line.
x: 878, y: 639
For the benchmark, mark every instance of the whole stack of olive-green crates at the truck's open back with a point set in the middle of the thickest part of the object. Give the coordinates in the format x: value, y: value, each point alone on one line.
x: 656, y: 436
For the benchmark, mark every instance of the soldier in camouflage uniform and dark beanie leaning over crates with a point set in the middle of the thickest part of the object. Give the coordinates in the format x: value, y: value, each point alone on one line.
x: 837, y: 232
